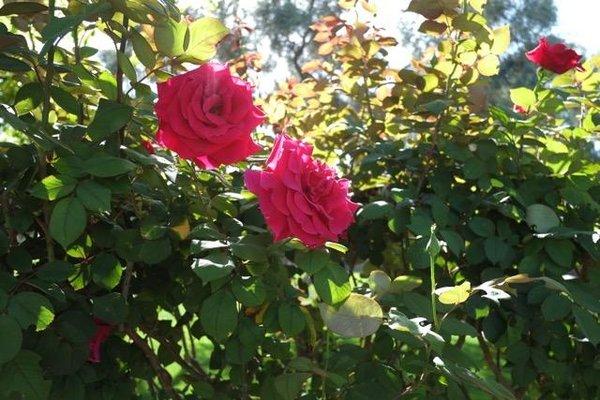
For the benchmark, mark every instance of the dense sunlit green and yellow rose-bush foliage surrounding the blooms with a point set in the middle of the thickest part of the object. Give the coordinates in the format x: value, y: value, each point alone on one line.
x: 472, y: 269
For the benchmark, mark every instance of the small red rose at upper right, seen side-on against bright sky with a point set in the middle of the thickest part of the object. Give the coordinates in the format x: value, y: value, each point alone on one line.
x: 555, y: 57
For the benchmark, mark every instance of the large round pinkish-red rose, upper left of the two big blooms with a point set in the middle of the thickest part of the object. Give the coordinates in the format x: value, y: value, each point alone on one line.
x: 207, y: 115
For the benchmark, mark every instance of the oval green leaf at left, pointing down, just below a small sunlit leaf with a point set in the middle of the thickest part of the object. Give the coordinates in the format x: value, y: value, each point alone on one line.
x: 68, y: 221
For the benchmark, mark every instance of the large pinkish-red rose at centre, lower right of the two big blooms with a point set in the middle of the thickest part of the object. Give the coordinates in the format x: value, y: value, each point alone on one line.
x: 301, y: 197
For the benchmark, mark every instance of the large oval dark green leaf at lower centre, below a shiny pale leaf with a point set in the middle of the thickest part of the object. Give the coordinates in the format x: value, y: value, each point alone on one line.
x: 219, y: 315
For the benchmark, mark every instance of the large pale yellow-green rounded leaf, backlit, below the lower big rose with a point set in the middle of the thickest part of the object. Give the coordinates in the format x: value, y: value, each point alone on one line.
x: 358, y: 316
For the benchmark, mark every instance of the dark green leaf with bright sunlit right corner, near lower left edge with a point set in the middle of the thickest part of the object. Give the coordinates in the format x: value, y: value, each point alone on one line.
x: 30, y: 308
